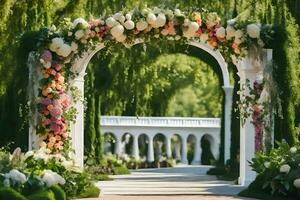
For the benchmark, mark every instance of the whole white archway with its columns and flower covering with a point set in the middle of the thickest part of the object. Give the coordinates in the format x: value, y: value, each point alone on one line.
x: 58, y: 67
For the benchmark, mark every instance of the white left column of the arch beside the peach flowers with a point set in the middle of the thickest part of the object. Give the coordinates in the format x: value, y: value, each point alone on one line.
x: 77, y: 129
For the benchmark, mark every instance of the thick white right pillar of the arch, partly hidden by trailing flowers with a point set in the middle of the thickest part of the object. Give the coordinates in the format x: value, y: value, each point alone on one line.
x: 252, y: 70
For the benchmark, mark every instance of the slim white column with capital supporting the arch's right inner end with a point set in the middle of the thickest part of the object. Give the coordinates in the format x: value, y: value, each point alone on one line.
x: 227, y: 122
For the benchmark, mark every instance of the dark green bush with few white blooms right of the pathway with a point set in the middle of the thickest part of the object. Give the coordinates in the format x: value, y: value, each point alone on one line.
x: 278, y: 170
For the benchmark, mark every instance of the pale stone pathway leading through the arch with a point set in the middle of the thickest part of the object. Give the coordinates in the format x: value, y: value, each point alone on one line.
x: 185, y: 182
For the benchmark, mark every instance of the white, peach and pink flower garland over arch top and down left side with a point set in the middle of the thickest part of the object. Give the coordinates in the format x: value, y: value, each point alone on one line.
x: 60, y: 48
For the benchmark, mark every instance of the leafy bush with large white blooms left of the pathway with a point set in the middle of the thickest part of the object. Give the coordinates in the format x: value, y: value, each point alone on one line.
x: 36, y: 174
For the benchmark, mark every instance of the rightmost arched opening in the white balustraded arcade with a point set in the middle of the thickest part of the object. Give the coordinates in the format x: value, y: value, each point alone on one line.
x: 208, y: 146
